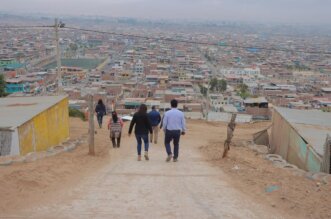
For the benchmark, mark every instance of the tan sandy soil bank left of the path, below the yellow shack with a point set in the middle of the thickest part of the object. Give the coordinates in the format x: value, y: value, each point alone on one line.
x: 24, y: 184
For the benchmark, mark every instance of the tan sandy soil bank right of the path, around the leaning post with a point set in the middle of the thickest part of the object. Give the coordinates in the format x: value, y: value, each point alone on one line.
x: 297, y: 195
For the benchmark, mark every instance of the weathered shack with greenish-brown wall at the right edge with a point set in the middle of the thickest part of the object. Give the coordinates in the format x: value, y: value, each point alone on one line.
x: 302, y: 137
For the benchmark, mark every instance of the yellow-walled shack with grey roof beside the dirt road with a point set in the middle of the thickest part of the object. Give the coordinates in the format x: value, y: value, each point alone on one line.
x: 32, y: 124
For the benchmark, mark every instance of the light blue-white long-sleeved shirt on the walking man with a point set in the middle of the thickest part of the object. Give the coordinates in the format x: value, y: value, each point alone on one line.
x: 174, y: 120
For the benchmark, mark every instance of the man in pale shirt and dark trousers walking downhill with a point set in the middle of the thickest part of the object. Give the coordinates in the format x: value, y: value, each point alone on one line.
x: 173, y: 126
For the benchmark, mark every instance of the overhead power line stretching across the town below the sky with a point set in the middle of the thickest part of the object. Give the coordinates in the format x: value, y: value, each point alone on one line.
x: 174, y: 40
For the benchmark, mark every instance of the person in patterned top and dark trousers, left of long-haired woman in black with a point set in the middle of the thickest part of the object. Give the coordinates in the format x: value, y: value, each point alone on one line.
x: 115, y: 126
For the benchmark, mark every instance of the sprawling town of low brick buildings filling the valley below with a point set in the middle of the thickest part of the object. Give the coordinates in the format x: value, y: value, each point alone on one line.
x: 213, y: 71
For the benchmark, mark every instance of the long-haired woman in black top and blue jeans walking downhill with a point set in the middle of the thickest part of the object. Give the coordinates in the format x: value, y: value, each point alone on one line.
x: 142, y: 127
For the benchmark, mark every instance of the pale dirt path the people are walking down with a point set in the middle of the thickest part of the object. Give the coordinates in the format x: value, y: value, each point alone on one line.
x: 126, y: 188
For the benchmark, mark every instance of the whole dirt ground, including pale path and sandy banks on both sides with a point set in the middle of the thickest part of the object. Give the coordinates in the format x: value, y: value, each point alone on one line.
x: 113, y: 184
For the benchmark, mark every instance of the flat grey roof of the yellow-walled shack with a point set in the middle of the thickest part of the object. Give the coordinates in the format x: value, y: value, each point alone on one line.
x: 15, y: 111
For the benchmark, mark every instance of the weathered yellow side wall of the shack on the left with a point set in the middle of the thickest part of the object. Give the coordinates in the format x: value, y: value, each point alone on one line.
x: 49, y: 128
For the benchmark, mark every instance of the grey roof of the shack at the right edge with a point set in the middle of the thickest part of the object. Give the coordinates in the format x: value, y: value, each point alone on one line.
x: 312, y: 125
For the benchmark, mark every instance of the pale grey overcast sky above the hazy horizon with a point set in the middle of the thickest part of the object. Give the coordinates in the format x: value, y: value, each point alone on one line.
x: 289, y: 11
